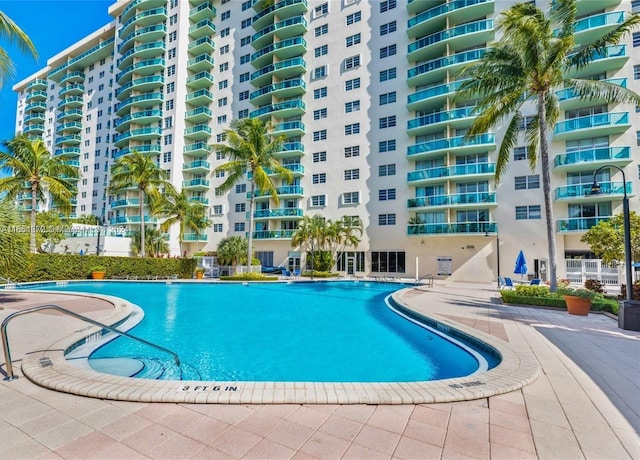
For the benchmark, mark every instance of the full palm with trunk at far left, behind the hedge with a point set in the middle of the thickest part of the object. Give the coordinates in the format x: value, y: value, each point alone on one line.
x: 29, y: 164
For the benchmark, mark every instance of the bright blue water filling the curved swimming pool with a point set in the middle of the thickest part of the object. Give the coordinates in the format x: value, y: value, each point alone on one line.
x: 322, y: 332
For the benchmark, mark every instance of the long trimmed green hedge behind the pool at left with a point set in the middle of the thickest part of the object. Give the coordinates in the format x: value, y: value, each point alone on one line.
x: 49, y: 267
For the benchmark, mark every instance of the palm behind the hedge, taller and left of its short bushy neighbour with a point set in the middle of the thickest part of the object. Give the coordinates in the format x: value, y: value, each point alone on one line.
x: 140, y: 170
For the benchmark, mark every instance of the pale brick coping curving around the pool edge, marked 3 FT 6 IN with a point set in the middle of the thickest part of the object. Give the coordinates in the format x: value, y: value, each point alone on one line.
x: 49, y: 368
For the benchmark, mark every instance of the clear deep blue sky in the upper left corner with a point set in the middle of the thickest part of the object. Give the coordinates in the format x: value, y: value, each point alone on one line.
x: 52, y: 25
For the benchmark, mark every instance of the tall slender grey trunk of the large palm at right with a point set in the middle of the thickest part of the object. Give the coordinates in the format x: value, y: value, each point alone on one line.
x: 546, y: 187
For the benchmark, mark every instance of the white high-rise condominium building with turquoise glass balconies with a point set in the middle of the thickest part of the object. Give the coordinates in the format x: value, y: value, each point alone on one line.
x: 363, y: 92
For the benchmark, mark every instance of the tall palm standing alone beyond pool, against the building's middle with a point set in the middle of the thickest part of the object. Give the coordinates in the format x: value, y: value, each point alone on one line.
x: 251, y: 149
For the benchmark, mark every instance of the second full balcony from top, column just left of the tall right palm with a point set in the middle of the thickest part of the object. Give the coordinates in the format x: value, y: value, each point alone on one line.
x: 459, y: 37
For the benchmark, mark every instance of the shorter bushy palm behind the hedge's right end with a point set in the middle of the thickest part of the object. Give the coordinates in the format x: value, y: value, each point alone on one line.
x: 178, y: 209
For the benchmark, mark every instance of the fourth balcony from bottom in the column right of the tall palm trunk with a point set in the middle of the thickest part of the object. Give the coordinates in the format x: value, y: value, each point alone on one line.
x: 601, y: 124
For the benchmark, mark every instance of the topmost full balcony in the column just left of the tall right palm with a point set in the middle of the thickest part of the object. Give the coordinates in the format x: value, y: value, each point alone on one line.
x: 458, y: 12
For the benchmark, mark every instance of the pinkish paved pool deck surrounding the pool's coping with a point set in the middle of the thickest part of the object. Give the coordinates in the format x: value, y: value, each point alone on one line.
x: 584, y: 403
